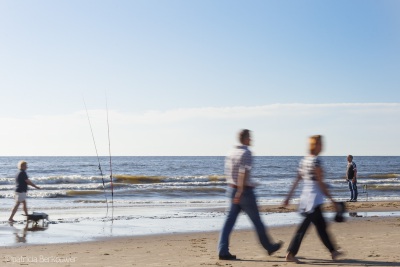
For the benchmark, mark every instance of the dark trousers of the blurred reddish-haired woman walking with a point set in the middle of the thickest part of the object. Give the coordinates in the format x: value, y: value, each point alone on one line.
x: 318, y: 220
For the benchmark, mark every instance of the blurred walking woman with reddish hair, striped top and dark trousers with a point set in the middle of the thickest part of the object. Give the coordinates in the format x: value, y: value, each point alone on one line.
x: 311, y: 199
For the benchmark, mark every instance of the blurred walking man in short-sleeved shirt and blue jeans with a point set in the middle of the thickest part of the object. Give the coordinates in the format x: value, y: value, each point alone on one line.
x: 241, y: 193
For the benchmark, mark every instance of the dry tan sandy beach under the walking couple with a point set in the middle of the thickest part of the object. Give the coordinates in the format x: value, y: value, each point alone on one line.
x: 365, y: 240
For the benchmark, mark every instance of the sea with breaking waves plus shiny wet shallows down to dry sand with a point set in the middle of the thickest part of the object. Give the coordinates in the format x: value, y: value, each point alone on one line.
x: 88, y: 198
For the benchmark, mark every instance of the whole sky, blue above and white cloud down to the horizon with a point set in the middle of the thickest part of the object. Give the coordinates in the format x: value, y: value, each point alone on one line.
x: 181, y: 78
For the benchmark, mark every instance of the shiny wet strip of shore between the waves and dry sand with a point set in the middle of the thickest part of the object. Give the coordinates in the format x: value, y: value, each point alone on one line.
x: 83, y: 225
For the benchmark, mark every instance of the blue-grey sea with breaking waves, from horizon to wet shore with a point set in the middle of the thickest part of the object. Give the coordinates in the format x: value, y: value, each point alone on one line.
x: 78, y: 181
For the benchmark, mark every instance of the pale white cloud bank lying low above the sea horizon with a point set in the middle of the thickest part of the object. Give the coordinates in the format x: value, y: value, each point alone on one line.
x: 359, y: 126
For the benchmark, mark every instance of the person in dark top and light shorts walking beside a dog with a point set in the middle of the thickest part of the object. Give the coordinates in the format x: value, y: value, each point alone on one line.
x: 22, y: 181
